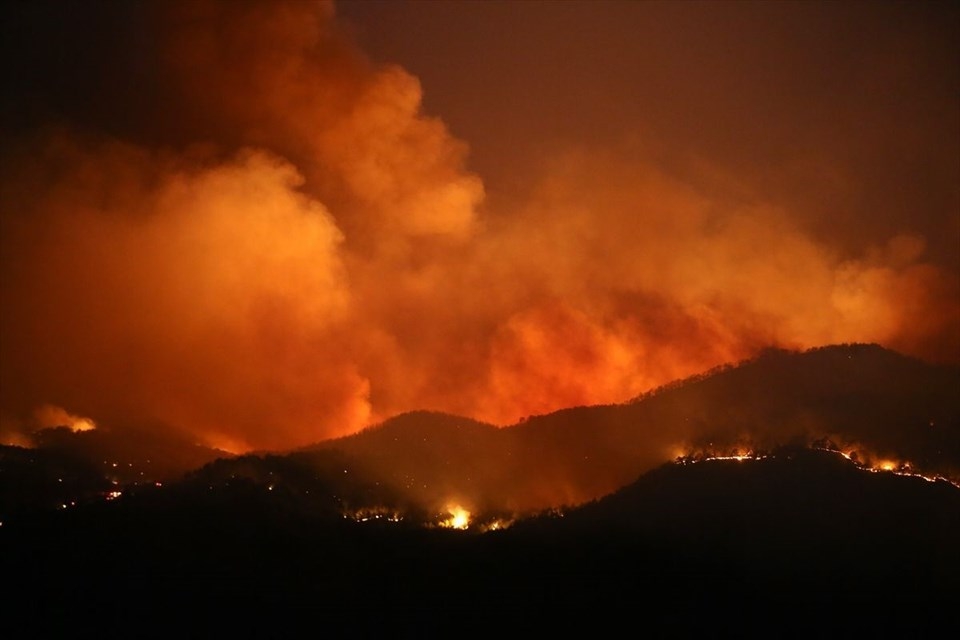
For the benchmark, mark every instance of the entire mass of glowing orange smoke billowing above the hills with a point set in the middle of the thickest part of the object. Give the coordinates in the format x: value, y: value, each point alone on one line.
x: 272, y: 244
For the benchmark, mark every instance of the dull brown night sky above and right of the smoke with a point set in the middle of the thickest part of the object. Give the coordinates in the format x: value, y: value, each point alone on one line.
x: 848, y: 110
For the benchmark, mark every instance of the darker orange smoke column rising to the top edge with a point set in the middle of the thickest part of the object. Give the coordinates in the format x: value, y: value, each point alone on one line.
x: 280, y: 75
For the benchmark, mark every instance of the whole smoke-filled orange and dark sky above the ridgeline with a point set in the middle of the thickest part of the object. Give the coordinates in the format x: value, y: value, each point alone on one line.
x: 262, y: 224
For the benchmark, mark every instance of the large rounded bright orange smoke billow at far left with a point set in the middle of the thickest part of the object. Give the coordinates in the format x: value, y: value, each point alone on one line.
x: 196, y: 296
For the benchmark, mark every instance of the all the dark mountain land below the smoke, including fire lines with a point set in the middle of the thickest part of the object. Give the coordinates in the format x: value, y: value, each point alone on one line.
x: 151, y: 536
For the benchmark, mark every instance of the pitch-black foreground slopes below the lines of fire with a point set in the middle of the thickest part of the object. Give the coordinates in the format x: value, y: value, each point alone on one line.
x: 799, y: 540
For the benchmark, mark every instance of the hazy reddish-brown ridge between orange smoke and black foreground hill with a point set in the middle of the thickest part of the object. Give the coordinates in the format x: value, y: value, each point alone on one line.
x: 859, y: 397
